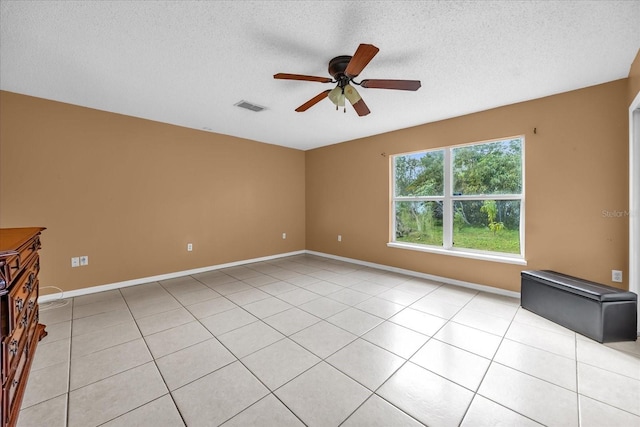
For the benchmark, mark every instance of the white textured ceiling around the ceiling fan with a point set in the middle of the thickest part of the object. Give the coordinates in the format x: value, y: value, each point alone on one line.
x: 188, y: 63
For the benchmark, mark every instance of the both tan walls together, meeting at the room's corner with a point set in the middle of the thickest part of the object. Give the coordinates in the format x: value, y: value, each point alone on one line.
x: 130, y: 193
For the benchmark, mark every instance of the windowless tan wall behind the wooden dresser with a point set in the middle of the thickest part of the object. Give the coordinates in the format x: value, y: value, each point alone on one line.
x: 131, y: 193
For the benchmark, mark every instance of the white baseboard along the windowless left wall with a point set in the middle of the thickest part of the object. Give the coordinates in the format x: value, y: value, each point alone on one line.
x: 140, y: 281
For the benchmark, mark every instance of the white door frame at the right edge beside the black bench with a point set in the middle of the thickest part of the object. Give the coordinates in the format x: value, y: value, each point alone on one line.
x: 634, y: 198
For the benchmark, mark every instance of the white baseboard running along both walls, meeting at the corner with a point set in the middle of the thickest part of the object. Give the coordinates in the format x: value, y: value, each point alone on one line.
x: 133, y: 282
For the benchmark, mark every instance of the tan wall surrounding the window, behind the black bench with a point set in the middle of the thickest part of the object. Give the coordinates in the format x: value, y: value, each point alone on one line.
x: 576, y: 167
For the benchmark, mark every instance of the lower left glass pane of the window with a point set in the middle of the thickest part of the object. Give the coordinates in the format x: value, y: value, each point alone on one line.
x: 419, y: 222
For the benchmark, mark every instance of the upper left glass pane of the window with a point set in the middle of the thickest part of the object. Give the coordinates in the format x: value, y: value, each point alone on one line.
x: 419, y: 174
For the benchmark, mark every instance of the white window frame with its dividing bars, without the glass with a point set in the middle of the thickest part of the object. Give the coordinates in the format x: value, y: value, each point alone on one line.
x: 448, y: 200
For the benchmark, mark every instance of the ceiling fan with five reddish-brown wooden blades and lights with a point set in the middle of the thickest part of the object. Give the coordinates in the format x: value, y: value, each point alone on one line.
x: 343, y: 69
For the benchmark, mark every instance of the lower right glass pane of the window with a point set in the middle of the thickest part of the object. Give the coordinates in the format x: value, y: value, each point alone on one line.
x: 487, y: 225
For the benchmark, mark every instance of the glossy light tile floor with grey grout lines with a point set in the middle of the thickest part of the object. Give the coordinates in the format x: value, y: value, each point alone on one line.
x: 312, y: 341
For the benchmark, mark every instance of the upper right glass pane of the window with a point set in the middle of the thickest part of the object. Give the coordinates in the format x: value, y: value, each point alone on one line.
x: 492, y: 168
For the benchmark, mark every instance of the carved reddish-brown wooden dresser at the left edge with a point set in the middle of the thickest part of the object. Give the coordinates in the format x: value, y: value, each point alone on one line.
x: 19, y: 266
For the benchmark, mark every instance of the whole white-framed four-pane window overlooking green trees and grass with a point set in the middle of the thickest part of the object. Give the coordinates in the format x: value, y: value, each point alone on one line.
x: 465, y: 200
